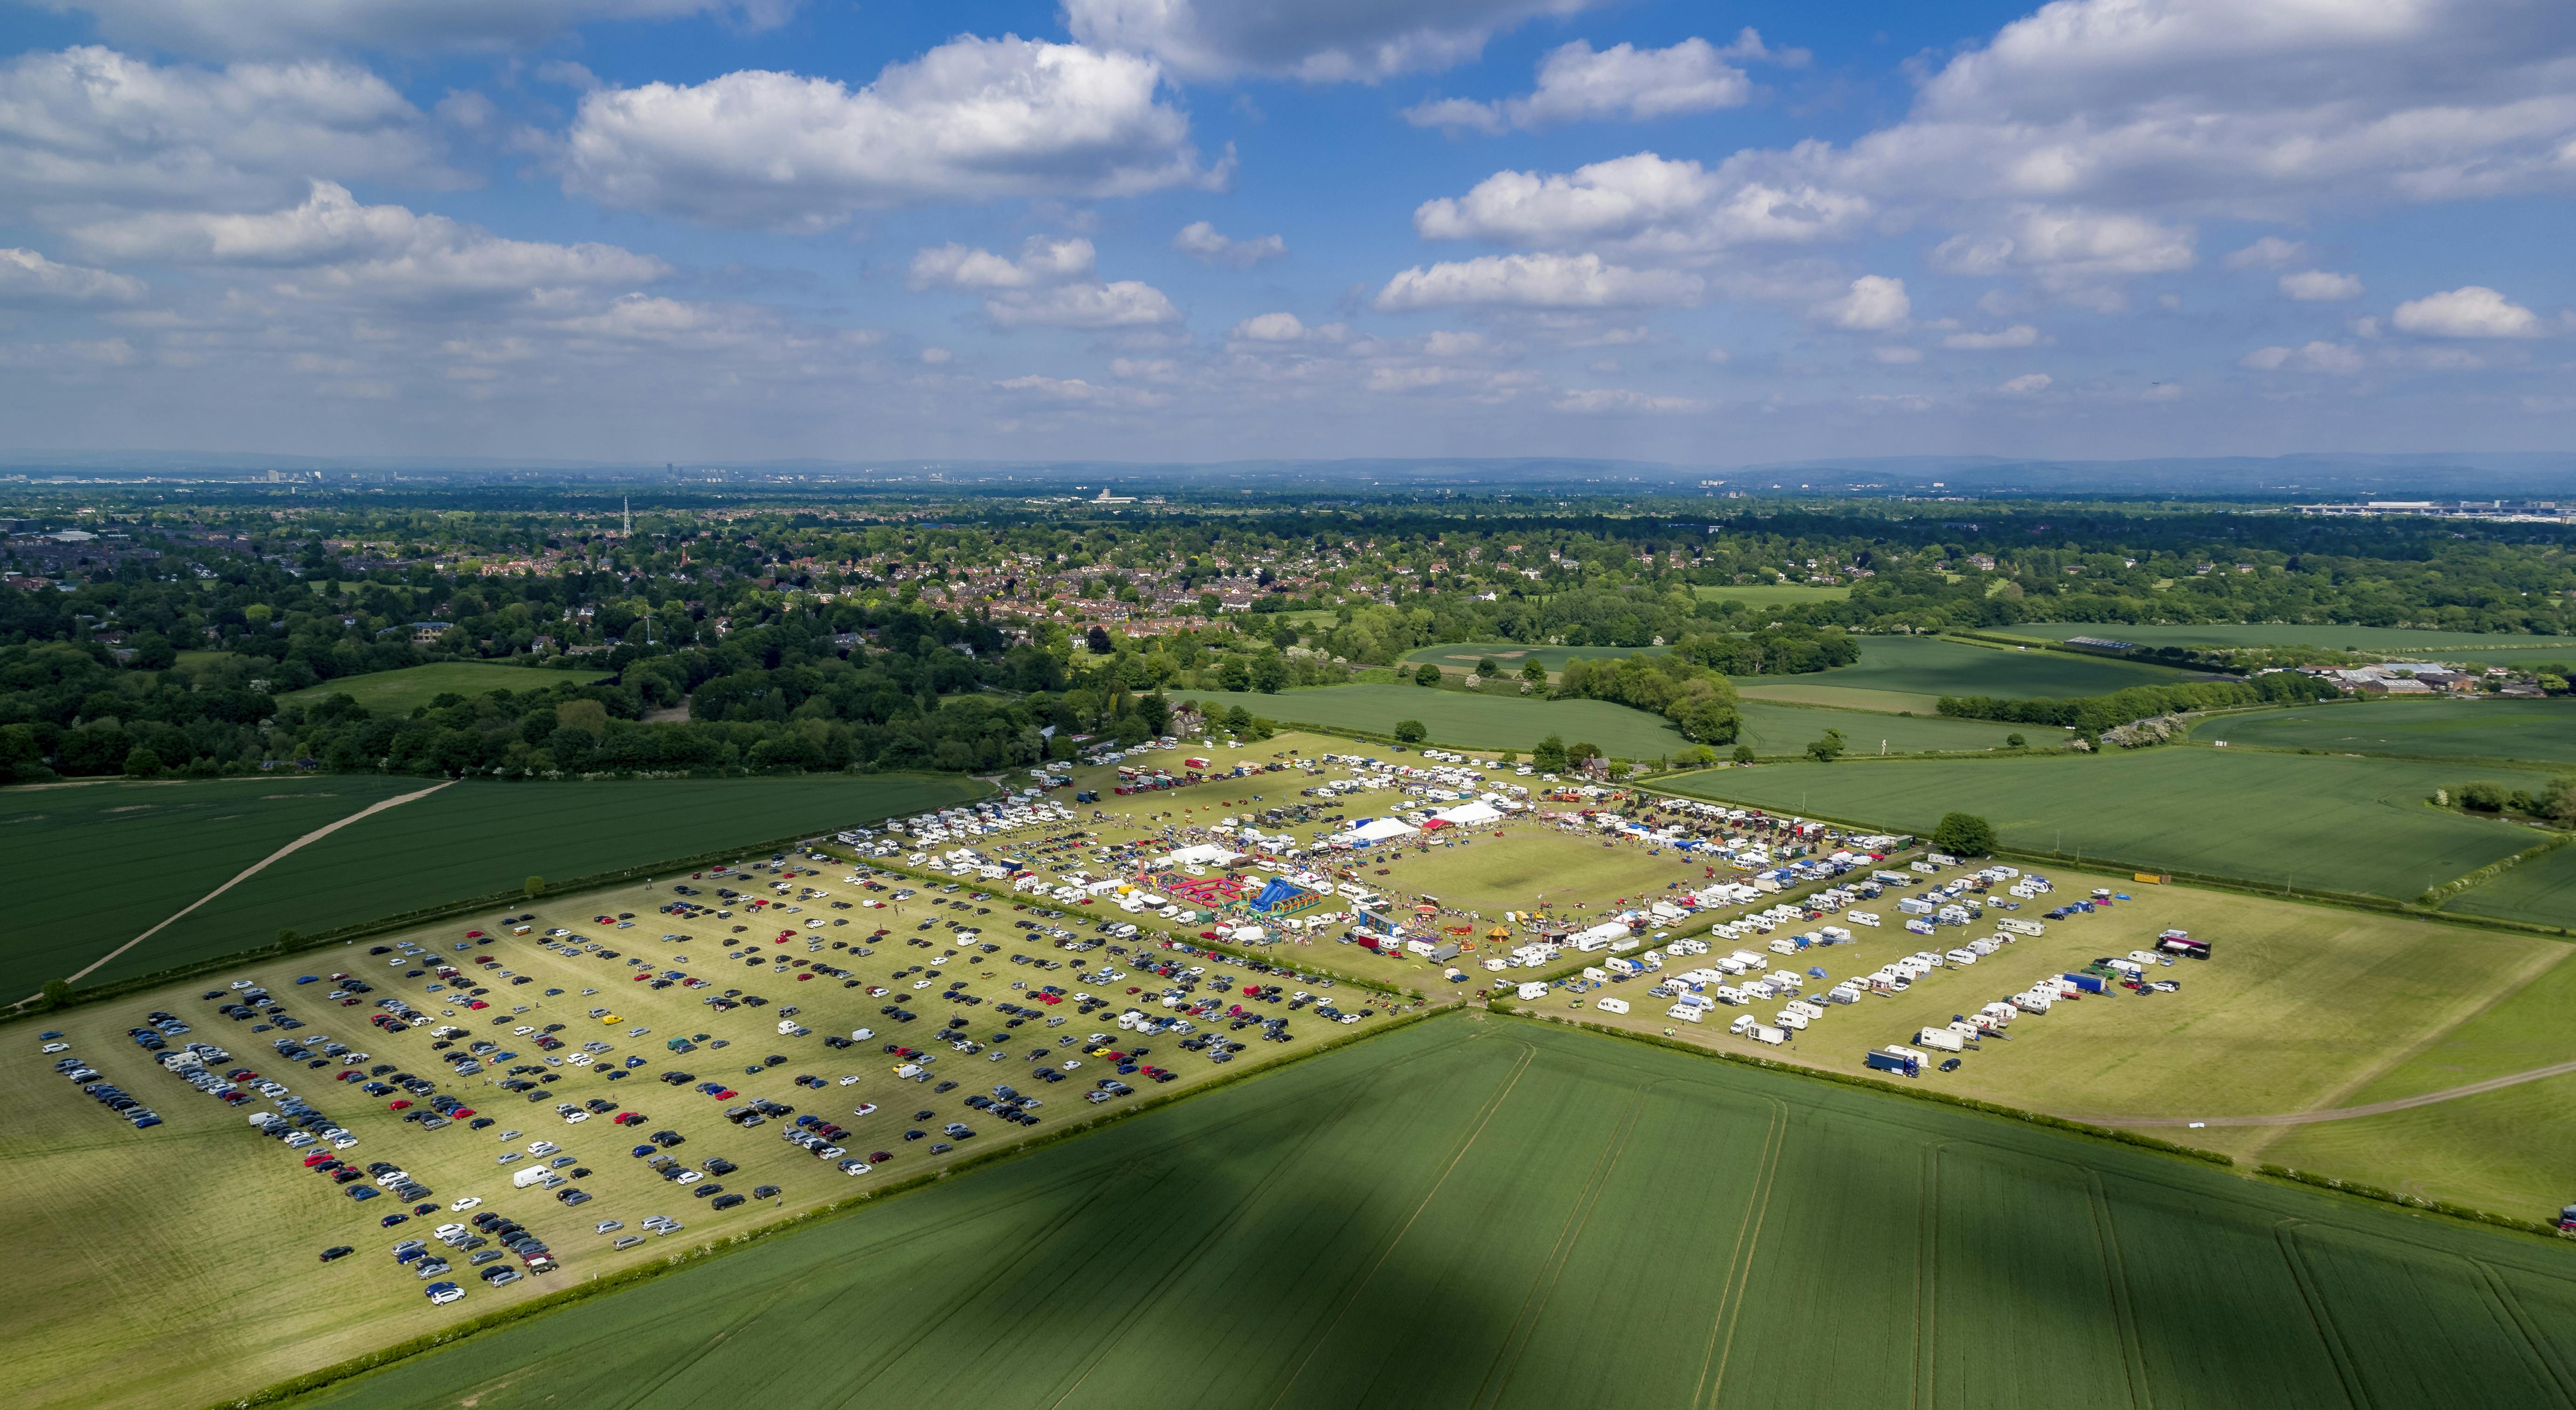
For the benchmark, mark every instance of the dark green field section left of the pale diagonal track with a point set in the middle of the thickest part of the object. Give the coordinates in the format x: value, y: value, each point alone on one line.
x: 99, y: 865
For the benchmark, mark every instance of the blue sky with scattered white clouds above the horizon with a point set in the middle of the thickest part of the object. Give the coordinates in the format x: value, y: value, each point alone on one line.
x: 1336, y: 228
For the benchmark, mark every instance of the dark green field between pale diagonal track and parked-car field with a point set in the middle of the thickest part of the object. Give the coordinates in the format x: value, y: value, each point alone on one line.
x: 475, y: 839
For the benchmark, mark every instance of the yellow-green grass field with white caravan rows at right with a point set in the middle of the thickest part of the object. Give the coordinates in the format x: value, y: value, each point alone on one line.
x: 2299, y: 1009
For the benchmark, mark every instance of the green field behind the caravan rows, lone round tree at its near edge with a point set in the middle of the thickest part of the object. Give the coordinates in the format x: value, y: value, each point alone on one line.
x: 2309, y: 821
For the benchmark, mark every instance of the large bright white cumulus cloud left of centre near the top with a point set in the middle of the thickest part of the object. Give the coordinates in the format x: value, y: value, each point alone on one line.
x: 970, y: 120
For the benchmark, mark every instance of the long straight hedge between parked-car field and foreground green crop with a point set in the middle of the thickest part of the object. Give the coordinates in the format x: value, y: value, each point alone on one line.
x: 707, y: 1251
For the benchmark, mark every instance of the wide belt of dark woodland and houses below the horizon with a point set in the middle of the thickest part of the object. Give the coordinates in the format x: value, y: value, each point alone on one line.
x: 885, y: 638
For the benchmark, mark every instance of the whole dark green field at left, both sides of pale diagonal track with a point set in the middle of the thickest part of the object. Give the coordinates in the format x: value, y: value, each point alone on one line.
x: 462, y: 842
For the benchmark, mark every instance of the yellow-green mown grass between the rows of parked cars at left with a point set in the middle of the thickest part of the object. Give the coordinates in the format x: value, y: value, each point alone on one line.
x: 213, y: 1231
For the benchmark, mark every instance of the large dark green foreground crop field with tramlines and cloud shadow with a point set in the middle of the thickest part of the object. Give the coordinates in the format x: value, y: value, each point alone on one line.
x: 1495, y: 1213
